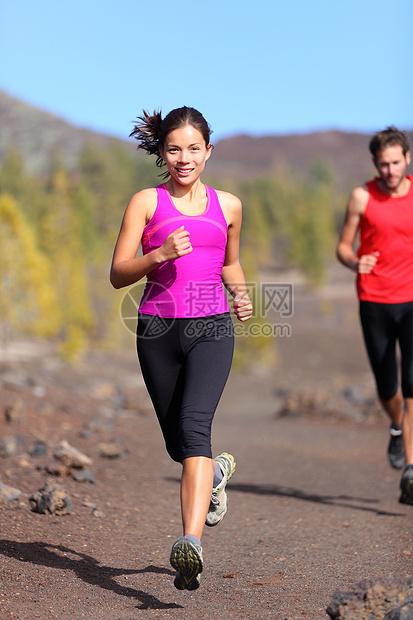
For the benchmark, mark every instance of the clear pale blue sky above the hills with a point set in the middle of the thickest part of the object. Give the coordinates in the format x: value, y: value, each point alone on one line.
x: 263, y: 67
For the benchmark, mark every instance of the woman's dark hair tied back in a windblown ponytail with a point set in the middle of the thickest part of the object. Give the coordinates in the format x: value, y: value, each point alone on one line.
x: 151, y: 130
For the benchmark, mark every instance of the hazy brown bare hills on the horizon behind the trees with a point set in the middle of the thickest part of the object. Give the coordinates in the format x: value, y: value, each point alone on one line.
x: 37, y: 134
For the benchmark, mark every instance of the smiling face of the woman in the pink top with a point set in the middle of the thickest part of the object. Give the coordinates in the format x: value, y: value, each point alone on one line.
x: 185, y: 154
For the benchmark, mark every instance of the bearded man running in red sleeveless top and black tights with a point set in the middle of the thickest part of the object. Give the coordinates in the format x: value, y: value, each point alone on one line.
x: 381, y: 211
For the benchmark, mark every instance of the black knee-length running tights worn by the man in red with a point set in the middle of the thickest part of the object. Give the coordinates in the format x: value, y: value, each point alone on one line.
x: 383, y: 325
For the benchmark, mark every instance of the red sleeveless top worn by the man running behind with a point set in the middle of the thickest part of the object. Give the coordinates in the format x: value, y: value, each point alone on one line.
x: 387, y: 227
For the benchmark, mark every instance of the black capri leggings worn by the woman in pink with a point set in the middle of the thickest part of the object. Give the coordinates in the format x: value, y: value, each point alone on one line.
x: 185, y: 364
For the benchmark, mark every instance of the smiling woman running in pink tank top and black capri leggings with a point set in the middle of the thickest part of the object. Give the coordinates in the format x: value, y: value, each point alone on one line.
x: 189, y: 235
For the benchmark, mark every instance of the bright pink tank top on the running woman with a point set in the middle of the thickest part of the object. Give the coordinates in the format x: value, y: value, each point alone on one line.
x: 190, y: 286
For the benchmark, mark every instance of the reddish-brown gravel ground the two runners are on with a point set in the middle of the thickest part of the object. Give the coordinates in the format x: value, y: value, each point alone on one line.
x: 313, y: 503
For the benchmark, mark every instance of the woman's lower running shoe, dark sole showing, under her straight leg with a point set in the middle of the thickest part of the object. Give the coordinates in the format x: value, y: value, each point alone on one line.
x: 186, y: 558
